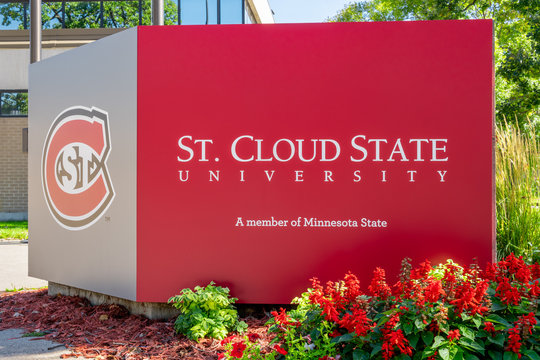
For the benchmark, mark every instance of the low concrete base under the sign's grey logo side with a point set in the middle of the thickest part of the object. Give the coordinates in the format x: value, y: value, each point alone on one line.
x: 154, y: 311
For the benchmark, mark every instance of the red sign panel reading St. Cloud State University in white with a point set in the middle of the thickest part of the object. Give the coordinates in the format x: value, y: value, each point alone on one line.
x: 271, y: 154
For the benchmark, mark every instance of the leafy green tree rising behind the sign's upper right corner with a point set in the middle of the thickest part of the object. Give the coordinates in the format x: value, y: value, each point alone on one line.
x: 517, y: 42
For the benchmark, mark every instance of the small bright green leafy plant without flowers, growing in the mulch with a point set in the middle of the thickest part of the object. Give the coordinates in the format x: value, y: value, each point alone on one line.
x: 206, y: 312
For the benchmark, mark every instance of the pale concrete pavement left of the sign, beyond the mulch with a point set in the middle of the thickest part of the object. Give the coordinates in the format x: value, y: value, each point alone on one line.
x: 14, y: 267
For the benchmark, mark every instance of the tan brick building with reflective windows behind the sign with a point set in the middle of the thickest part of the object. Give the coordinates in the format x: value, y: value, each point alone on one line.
x: 68, y: 25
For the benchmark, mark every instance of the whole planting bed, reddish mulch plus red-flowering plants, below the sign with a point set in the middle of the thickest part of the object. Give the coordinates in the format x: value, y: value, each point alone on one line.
x: 443, y: 312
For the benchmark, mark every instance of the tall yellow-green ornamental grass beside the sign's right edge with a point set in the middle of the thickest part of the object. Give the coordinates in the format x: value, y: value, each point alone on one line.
x: 518, y: 192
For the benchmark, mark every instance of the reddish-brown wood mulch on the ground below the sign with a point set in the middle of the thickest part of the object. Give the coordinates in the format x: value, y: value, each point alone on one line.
x: 106, y: 332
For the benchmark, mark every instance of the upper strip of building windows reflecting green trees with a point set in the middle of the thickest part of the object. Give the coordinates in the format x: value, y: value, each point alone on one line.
x: 86, y: 14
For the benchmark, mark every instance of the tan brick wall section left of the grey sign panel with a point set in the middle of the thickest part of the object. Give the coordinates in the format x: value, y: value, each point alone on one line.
x: 13, y: 166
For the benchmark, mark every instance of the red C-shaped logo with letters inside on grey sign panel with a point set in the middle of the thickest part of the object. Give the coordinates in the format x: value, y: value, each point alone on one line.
x: 76, y: 181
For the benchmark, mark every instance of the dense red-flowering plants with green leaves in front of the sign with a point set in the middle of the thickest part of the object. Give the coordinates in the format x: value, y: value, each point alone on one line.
x: 446, y: 312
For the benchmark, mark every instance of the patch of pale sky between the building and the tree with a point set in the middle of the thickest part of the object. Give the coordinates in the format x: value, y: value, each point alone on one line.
x: 287, y: 11
